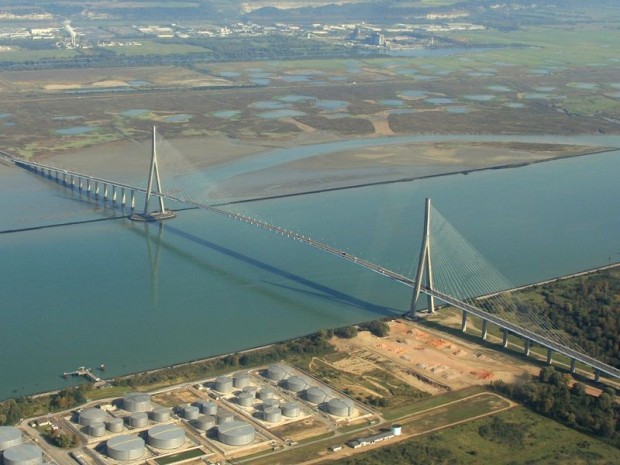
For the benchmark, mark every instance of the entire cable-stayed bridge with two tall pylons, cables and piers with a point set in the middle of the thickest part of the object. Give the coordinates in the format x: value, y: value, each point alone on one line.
x: 461, y: 274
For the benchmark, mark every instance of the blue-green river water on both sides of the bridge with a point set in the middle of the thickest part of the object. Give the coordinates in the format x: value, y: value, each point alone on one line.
x: 139, y: 296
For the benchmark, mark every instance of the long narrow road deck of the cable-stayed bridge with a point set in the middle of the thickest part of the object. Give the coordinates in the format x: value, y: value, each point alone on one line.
x: 504, y: 324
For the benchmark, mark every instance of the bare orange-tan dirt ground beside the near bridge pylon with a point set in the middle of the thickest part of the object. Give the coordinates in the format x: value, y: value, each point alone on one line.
x: 441, y: 362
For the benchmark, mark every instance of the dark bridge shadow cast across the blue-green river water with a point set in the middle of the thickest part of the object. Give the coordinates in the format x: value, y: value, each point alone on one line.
x: 317, y: 290
